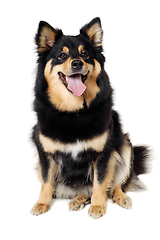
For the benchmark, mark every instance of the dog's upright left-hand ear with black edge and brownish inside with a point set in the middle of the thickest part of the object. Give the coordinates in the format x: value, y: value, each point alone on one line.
x: 46, y: 36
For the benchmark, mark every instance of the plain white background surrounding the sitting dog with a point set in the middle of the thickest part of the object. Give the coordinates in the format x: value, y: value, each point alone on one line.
x: 132, y: 50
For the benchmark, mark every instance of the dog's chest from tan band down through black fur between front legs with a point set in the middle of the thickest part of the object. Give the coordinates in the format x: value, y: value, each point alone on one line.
x: 76, y: 159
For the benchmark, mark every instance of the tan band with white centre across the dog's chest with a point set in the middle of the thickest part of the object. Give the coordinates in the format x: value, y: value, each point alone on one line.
x: 51, y: 146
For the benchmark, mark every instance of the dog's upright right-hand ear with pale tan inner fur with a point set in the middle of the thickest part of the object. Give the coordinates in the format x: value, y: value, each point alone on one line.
x: 93, y: 31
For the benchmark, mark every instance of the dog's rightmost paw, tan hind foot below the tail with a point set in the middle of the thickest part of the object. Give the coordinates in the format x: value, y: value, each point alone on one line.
x: 123, y: 201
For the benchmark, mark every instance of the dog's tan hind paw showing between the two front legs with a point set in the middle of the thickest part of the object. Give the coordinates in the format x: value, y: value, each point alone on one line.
x: 78, y: 203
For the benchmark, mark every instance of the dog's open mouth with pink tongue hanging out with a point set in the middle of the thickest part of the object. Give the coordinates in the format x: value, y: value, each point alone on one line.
x: 74, y: 83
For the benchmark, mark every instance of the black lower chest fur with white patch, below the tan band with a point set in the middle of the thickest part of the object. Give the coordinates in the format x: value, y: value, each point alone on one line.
x: 75, y: 167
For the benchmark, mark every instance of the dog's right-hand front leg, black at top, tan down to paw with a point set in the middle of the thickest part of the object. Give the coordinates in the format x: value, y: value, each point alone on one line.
x: 104, y: 170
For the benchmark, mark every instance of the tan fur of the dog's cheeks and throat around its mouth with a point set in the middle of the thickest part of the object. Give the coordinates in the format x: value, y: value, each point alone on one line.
x: 59, y: 95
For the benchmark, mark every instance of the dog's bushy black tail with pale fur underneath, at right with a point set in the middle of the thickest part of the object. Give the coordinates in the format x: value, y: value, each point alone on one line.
x: 141, y: 159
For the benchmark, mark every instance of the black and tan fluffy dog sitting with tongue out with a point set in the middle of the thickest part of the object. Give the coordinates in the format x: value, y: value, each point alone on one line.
x: 83, y: 153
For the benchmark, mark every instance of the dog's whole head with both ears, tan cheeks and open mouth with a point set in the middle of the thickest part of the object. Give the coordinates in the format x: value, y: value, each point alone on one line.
x: 72, y: 64
